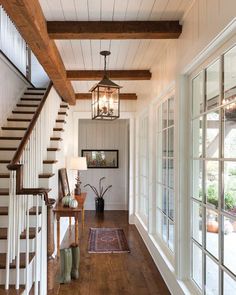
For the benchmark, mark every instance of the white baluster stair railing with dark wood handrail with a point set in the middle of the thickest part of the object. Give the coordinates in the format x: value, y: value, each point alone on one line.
x: 27, y: 212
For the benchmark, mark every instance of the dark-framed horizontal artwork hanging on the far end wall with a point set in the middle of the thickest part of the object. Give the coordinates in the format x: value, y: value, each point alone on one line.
x: 101, y: 158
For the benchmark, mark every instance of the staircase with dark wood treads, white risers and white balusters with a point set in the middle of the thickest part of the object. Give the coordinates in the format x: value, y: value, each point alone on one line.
x: 23, y: 240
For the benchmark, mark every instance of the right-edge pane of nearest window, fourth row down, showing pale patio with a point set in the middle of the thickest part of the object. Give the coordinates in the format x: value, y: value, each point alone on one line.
x: 229, y: 244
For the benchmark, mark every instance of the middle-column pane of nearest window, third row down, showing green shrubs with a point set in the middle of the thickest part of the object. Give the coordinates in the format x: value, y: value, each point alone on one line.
x: 212, y: 173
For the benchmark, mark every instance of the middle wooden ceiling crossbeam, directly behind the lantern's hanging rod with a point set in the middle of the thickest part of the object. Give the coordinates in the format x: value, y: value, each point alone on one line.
x: 94, y: 75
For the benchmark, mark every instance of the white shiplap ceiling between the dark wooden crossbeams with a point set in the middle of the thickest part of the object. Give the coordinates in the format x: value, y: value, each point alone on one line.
x: 125, y: 54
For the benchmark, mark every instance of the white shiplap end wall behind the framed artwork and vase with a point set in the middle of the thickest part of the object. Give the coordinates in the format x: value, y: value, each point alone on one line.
x: 106, y: 135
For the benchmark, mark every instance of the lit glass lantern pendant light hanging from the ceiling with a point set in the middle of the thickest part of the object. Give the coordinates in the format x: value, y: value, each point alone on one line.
x: 105, y: 96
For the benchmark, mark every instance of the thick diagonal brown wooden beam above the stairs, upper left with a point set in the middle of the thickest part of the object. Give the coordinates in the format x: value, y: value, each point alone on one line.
x: 30, y: 21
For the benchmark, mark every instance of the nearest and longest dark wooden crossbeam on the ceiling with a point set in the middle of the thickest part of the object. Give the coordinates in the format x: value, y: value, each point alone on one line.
x: 114, y: 29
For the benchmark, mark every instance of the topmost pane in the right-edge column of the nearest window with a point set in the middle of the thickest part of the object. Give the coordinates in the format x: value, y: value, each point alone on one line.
x: 230, y: 69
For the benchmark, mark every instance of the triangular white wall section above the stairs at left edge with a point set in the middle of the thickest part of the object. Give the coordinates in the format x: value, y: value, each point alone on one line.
x: 12, y: 86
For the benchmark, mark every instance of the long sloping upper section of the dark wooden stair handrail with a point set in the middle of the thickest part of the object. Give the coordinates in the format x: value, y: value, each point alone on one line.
x: 16, y: 158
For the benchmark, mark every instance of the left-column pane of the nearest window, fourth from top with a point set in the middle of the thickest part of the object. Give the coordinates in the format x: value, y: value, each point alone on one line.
x: 197, y: 222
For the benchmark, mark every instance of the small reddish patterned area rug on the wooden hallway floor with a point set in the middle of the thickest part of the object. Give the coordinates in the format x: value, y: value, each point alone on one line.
x: 107, y: 240
